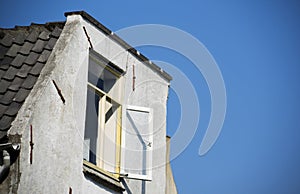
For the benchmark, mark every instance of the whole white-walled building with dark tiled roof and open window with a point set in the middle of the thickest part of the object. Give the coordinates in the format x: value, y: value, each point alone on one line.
x: 80, y: 112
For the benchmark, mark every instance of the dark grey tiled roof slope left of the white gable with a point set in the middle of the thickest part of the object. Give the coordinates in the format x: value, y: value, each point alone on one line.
x: 24, y: 50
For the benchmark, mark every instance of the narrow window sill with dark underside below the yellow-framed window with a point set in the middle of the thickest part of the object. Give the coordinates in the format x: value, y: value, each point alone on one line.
x: 101, y: 176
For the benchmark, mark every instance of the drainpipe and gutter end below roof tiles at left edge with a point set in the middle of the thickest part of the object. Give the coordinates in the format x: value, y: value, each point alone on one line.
x: 6, y: 158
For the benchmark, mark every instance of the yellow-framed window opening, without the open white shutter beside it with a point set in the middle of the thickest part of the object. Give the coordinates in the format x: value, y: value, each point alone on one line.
x: 102, y: 137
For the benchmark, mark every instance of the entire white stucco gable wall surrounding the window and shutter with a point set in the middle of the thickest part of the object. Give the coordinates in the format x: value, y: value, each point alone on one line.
x: 58, y: 128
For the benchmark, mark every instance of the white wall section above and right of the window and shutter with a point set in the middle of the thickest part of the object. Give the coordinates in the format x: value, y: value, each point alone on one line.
x: 151, y: 90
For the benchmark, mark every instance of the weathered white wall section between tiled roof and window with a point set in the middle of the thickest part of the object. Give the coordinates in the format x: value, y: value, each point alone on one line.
x: 57, y: 126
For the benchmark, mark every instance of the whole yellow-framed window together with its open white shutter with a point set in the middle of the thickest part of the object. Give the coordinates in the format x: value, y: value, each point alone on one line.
x: 115, y: 145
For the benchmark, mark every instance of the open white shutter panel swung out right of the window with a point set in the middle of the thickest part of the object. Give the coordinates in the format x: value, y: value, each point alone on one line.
x: 137, y: 142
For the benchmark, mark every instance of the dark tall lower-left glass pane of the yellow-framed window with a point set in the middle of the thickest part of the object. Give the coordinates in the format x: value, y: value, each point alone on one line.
x: 91, y: 125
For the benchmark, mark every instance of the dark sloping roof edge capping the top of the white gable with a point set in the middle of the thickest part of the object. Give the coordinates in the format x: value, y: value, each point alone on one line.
x: 121, y: 42
